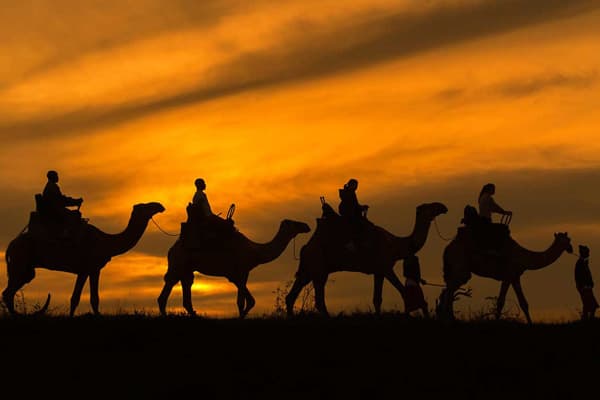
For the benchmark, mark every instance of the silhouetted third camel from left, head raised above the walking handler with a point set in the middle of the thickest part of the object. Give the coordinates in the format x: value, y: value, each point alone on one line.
x: 327, y: 252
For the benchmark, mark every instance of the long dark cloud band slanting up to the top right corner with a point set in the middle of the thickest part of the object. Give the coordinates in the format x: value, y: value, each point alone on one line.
x: 365, y: 39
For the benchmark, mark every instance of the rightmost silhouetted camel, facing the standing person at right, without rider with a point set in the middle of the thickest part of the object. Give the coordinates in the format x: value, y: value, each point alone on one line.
x: 461, y: 259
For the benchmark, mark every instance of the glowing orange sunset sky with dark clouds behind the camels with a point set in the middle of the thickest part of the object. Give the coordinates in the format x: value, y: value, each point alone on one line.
x: 275, y: 104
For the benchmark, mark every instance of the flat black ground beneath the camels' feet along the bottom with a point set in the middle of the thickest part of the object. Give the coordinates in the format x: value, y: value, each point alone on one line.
x: 344, y: 357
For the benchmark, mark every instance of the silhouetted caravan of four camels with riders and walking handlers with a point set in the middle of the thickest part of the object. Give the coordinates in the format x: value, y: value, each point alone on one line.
x: 58, y: 238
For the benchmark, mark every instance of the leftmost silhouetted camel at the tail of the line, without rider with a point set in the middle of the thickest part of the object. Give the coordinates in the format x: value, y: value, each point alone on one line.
x: 84, y: 256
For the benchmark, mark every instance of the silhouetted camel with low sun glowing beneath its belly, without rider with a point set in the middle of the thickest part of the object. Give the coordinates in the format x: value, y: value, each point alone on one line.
x: 232, y: 259
